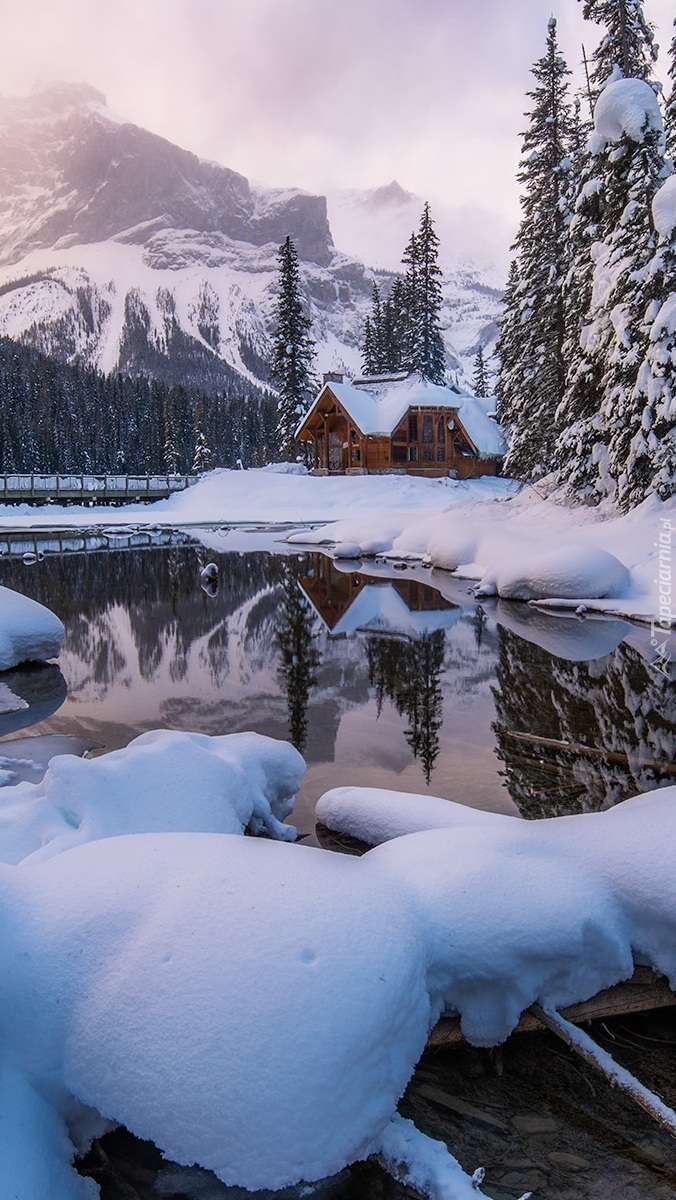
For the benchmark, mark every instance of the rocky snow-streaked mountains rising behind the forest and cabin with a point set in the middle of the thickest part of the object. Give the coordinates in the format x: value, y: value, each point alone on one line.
x: 122, y: 251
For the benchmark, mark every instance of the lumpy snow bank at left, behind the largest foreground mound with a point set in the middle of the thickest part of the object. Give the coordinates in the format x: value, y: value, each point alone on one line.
x: 161, y: 782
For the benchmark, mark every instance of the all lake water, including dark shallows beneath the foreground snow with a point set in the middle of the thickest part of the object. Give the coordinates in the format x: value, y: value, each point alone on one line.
x: 390, y: 677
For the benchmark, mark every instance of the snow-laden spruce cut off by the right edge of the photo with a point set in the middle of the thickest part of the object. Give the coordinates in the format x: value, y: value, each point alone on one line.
x: 651, y: 461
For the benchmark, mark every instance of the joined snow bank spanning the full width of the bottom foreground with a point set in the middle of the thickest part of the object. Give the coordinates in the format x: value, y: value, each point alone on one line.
x: 194, y: 987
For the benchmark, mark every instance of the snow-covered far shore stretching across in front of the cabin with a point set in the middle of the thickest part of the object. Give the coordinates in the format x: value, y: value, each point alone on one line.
x: 512, y: 542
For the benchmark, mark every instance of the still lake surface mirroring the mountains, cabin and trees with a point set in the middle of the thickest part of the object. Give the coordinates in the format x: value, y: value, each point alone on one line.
x: 381, y: 681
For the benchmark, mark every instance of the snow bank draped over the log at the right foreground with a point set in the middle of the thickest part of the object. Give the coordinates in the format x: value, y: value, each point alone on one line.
x: 560, y: 908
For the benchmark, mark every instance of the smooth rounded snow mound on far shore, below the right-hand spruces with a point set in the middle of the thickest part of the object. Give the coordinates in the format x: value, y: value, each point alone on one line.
x: 566, y: 573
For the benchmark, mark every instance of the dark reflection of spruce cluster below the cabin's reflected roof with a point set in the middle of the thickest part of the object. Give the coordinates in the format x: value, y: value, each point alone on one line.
x: 409, y: 674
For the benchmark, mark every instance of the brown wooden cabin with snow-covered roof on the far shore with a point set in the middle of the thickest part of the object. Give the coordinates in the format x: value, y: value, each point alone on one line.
x: 404, y: 424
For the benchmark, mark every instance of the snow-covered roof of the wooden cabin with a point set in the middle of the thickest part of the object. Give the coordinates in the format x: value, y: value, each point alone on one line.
x: 378, y: 404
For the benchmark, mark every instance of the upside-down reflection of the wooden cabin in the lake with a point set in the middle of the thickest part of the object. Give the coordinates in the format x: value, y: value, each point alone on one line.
x: 349, y: 603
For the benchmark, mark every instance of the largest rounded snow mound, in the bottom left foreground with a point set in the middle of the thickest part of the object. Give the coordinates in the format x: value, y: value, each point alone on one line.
x: 190, y: 988
